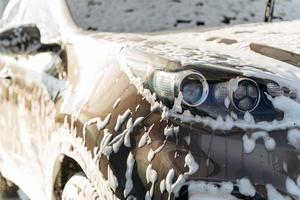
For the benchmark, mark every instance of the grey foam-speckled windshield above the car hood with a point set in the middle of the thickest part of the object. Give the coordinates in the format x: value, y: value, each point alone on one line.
x: 158, y: 15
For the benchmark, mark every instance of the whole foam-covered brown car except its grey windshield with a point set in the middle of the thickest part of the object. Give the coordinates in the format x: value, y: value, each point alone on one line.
x: 171, y: 115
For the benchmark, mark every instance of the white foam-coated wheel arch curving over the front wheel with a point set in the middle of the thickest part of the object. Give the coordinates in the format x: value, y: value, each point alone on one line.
x: 71, y: 151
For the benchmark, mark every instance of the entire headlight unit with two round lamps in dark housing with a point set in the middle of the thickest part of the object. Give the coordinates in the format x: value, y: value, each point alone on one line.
x: 216, y: 96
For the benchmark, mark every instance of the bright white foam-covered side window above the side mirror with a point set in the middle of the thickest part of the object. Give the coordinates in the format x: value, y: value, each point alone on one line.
x: 35, y: 12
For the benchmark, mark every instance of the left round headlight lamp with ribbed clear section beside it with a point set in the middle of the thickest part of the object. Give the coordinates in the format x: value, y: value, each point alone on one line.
x: 191, y: 84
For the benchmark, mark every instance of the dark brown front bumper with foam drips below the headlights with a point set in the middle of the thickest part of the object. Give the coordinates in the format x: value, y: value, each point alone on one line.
x: 219, y: 155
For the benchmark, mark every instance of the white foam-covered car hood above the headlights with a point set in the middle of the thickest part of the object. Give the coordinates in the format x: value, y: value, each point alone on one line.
x: 261, y: 50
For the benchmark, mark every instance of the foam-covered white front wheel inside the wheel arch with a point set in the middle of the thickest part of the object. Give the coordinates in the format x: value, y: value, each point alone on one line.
x: 79, y: 187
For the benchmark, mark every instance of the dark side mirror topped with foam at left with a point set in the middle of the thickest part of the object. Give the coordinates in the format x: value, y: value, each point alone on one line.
x: 24, y: 40
